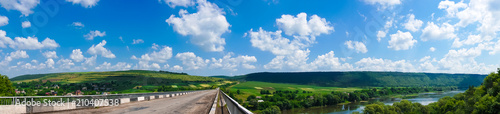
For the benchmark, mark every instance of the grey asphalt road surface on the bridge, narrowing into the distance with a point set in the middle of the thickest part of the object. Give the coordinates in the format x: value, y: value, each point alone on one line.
x: 194, y: 103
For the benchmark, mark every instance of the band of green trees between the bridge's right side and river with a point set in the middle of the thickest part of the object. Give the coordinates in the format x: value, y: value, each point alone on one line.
x: 303, y: 99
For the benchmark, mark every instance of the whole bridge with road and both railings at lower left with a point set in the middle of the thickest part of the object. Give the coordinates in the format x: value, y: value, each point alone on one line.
x: 180, y: 102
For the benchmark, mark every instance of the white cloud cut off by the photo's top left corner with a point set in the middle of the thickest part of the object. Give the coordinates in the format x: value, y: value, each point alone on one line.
x: 23, y: 6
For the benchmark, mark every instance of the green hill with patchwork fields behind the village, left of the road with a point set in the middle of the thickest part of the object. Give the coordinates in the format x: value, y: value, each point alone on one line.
x: 130, y: 81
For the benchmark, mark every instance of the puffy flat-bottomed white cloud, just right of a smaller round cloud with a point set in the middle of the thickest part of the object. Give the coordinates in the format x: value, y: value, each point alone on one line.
x: 434, y: 32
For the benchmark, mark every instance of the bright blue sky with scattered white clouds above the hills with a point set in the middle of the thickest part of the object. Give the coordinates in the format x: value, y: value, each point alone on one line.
x: 234, y: 37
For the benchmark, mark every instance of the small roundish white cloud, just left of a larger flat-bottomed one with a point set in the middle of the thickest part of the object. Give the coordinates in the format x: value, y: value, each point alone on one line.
x: 401, y: 41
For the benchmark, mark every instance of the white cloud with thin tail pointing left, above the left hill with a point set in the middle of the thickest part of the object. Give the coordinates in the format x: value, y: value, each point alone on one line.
x: 158, y: 56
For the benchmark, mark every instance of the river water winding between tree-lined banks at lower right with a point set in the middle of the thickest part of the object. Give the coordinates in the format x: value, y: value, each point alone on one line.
x: 423, y: 98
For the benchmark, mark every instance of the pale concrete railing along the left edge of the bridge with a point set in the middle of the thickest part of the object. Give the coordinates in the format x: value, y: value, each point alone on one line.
x: 34, y: 104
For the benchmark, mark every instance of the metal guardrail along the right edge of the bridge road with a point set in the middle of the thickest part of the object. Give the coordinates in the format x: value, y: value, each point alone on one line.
x: 233, y: 106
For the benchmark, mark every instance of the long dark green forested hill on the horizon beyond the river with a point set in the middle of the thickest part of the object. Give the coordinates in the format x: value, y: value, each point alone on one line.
x: 364, y: 79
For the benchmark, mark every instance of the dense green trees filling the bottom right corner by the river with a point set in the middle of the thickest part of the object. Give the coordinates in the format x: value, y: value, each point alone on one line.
x: 484, y: 99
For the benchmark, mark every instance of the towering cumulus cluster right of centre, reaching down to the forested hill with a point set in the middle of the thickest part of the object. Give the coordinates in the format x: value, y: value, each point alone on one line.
x: 290, y: 53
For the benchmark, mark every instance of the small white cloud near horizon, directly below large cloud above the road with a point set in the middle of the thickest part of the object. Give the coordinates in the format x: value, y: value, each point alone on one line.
x: 191, y: 61
